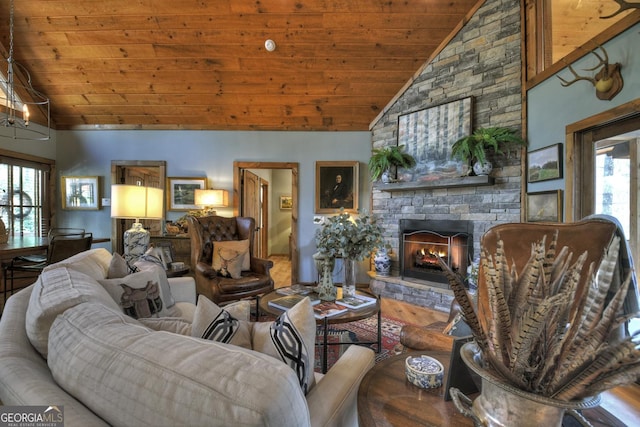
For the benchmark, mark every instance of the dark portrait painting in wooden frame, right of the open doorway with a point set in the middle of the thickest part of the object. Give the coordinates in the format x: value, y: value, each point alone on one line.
x: 336, y: 186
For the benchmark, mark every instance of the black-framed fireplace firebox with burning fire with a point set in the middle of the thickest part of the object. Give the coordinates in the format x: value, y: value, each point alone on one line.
x: 424, y: 241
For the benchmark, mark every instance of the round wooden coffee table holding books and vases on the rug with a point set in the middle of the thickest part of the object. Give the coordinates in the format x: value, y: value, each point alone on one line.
x: 350, y: 315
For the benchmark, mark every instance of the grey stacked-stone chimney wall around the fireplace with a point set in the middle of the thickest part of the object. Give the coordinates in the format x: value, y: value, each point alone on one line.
x: 484, y: 61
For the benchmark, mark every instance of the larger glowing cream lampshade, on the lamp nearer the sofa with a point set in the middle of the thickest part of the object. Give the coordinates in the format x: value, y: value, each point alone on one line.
x: 136, y: 202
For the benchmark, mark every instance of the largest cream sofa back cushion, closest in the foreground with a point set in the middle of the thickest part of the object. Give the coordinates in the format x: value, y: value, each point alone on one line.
x: 124, y: 373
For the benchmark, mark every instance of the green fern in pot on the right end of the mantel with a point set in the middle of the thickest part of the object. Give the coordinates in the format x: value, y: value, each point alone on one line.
x: 473, y: 149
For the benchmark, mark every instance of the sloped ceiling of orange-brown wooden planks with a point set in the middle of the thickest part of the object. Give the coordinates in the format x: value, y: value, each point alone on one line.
x: 197, y: 64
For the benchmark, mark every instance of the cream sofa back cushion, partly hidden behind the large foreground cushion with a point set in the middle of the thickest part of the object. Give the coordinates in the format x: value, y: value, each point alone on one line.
x: 55, y: 291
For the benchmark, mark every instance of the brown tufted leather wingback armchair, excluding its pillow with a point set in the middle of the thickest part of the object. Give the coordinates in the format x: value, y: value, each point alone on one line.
x: 205, y: 232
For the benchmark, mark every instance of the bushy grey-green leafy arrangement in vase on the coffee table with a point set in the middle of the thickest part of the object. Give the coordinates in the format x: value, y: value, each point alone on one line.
x: 347, y: 237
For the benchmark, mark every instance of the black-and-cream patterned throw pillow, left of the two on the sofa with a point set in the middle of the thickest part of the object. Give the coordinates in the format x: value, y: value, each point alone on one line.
x: 228, y: 325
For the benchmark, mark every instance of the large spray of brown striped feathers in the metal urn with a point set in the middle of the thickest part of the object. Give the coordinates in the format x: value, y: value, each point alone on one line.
x: 541, y: 333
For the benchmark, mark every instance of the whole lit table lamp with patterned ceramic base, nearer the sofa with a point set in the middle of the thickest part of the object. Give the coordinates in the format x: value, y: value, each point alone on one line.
x: 136, y: 202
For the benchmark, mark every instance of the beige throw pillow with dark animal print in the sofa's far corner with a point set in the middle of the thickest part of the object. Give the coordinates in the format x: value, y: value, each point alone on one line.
x: 138, y: 294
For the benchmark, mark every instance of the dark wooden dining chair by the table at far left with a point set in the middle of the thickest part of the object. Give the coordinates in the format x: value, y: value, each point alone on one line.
x: 63, y: 243
